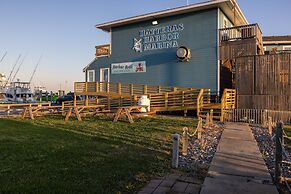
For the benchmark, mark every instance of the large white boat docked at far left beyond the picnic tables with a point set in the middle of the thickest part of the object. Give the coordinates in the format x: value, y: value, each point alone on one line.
x: 19, y: 92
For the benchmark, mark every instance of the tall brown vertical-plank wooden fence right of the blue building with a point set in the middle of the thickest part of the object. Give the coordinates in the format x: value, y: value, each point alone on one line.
x: 264, y: 82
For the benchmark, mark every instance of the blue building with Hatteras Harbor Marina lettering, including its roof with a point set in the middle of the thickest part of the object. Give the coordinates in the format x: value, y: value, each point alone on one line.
x: 174, y: 47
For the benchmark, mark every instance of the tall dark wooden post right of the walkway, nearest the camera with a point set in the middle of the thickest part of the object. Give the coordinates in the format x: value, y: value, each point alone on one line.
x: 278, y: 154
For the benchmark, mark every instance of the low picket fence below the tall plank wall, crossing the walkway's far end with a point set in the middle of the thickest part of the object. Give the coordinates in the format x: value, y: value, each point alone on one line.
x: 256, y: 116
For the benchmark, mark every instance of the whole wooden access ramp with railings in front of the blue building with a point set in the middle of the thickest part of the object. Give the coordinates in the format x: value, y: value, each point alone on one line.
x: 163, y: 98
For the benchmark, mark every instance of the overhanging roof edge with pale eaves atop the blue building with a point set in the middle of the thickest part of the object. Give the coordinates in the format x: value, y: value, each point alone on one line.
x: 227, y: 6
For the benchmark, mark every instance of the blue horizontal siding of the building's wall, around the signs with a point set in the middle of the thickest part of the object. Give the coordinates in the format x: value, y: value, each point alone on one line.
x: 163, y: 68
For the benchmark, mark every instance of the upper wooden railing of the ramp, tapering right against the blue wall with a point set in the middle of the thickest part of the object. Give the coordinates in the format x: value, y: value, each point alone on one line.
x: 93, y: 88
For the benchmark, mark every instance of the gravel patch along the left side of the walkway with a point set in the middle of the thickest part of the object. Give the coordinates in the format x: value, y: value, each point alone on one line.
x: 200, y: 154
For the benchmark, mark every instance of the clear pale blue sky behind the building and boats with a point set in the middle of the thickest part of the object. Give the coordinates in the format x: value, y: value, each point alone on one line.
x: 63, y: 32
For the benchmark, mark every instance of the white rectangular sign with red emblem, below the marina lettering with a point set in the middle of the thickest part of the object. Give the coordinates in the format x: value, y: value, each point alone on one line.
x: 128, y: 67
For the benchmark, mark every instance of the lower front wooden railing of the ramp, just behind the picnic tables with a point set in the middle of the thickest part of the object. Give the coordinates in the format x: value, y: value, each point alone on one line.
x: 165, y: 101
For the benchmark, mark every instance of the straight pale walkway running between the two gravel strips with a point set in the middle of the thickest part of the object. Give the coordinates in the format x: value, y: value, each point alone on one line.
x: 238, y: 166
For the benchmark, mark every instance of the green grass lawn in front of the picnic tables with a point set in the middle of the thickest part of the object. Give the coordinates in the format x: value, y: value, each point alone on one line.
x: 97, y: 155
